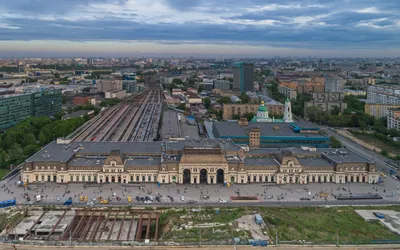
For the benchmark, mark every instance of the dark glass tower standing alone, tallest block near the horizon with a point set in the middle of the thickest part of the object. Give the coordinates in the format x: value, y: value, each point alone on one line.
x: 243, y: 77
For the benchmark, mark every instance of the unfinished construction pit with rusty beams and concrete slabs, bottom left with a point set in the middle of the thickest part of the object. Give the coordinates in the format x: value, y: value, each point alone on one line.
x: 85, y: 225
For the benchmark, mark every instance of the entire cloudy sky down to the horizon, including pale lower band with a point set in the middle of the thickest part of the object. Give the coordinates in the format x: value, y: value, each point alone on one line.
x: 369, y: 28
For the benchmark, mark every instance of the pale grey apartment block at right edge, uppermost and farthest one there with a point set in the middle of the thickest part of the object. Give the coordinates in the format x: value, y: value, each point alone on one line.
x: 383, y: 94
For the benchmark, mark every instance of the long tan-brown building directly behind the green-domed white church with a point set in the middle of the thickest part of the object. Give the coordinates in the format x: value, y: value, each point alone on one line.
x: 240, y: 109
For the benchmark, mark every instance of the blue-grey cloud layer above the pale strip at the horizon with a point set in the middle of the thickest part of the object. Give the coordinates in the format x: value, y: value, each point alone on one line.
x: 308, y: 24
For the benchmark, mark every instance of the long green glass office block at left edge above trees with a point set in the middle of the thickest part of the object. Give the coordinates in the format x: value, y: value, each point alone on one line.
x: 17, y: 107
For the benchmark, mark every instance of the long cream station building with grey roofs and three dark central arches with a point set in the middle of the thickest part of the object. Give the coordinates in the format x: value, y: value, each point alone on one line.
x: 208, y: 161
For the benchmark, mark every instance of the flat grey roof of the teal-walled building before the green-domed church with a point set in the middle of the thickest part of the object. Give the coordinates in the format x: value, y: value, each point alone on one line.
x: 267, y: 129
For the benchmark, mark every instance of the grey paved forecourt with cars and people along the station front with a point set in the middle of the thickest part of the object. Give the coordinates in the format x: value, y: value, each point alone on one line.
x: 118, y: 193
